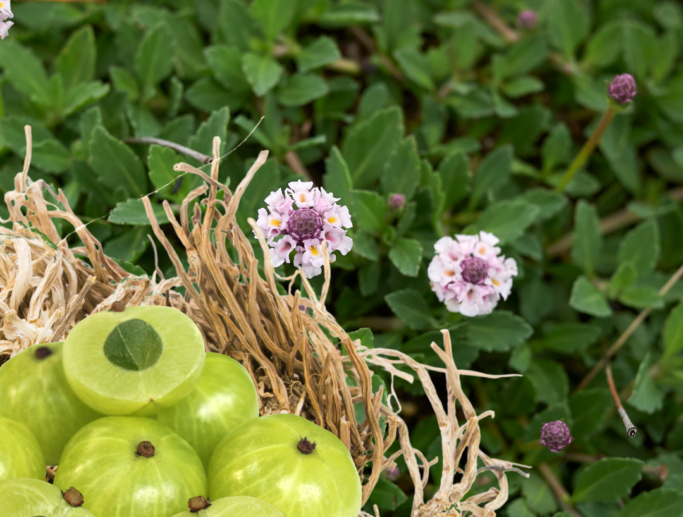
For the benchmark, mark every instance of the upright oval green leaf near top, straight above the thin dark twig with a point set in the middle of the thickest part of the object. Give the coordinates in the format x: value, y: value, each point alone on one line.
x: 154, y: 58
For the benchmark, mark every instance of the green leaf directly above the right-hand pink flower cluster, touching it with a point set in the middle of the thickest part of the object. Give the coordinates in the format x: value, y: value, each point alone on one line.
x: 507, y: 220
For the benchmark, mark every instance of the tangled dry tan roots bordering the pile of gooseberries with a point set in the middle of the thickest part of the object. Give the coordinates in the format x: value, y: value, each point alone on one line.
x: 46, y: 287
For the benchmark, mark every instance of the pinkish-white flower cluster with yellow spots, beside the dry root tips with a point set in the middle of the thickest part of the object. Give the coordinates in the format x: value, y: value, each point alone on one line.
x: 300, y: 220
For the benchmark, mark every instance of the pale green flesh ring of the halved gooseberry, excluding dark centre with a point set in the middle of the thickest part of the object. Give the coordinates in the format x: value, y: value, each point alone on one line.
x: 112, y: 390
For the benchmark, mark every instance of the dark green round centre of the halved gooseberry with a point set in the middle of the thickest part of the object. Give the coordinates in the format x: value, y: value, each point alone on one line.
x: 133, y: 345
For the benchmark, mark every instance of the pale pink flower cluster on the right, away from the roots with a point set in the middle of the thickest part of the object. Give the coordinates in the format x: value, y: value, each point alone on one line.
x: 469, y: 274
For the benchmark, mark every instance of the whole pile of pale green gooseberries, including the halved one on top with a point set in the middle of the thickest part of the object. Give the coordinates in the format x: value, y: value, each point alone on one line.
x: 142, y: 422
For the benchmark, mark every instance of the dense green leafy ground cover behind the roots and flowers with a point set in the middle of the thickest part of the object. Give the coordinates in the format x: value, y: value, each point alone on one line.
x: 475, y: 121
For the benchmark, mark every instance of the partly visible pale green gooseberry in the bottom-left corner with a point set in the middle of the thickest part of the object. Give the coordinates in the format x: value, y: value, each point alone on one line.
x: 33, y: 498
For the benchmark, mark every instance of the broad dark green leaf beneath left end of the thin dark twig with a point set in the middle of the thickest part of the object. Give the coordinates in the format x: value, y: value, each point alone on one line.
x: 116, y: 164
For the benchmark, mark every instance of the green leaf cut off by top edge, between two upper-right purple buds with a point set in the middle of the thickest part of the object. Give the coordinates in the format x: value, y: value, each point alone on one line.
x: 568, y: 24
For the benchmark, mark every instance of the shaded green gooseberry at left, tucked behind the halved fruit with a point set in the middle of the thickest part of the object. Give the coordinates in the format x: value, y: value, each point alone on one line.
x: 37, y: 394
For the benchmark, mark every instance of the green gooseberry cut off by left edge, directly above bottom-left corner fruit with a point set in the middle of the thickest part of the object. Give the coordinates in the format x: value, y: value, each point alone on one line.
x: 20, y: 453
